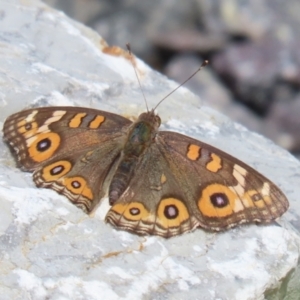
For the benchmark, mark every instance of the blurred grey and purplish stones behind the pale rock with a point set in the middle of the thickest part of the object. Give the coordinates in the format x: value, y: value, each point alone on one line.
x: 252, y: 45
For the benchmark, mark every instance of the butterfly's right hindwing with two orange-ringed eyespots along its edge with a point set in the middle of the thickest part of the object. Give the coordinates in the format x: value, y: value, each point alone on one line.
x: 154, y: 202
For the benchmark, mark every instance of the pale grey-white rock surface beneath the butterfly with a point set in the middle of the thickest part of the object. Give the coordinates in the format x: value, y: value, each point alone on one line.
x: 52, y: 250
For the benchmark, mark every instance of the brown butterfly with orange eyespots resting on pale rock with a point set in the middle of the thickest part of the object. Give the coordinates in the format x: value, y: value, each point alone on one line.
x: 158, y: 182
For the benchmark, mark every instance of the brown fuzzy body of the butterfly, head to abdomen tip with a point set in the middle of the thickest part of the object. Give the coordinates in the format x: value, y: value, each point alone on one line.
x: 140, y: 137
